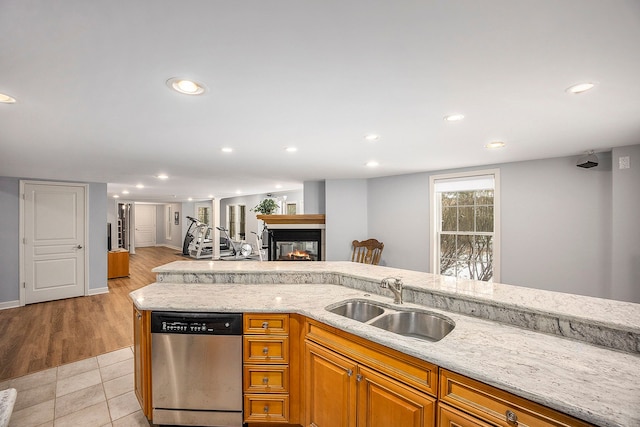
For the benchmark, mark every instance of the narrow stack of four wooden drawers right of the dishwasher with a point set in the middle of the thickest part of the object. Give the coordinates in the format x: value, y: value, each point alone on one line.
x: 266, y: 368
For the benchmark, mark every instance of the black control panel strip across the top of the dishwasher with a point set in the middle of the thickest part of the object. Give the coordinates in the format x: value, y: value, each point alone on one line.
x: 196, y: 323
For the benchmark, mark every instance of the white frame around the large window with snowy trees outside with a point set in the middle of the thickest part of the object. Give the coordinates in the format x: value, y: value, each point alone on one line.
x: 434, y: 244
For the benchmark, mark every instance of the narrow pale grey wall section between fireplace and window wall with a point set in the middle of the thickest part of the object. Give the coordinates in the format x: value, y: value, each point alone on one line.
x: 346, y: 216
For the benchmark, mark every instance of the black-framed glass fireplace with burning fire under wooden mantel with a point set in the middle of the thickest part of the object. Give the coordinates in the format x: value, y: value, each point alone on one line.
x: 295, y: 244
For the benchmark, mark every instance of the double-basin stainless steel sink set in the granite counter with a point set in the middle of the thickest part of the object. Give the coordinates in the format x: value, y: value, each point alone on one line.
x: 414, y: 323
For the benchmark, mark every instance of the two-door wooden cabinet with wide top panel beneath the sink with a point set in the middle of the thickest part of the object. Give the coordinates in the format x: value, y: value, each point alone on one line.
x: 353, y: 384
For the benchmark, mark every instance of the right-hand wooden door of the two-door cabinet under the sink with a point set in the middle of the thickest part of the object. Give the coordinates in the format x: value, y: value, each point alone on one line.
x: 384, y: 402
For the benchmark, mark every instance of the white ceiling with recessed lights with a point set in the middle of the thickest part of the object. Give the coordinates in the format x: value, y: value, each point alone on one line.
x: 92, y: 103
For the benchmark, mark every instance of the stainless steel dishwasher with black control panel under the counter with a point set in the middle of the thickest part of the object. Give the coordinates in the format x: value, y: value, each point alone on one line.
x: 196, y: 368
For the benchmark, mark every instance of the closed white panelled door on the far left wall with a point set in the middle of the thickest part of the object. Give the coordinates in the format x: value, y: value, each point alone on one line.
x: 54, y: 218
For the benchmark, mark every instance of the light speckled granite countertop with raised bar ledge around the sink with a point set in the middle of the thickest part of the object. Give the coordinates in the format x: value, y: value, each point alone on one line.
x: 590, y: 382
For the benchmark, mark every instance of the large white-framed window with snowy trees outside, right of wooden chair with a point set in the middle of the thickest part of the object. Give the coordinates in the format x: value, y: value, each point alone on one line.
x: 465, y: 226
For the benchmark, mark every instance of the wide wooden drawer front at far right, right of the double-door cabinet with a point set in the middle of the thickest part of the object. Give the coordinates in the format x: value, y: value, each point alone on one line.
x: 497, y: 406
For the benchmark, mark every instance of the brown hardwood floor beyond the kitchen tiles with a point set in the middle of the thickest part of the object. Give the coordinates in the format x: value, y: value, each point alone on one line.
x: 45, y: 335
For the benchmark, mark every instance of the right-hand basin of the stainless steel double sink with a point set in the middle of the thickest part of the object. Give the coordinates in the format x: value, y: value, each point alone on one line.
x: 417, y: 324
